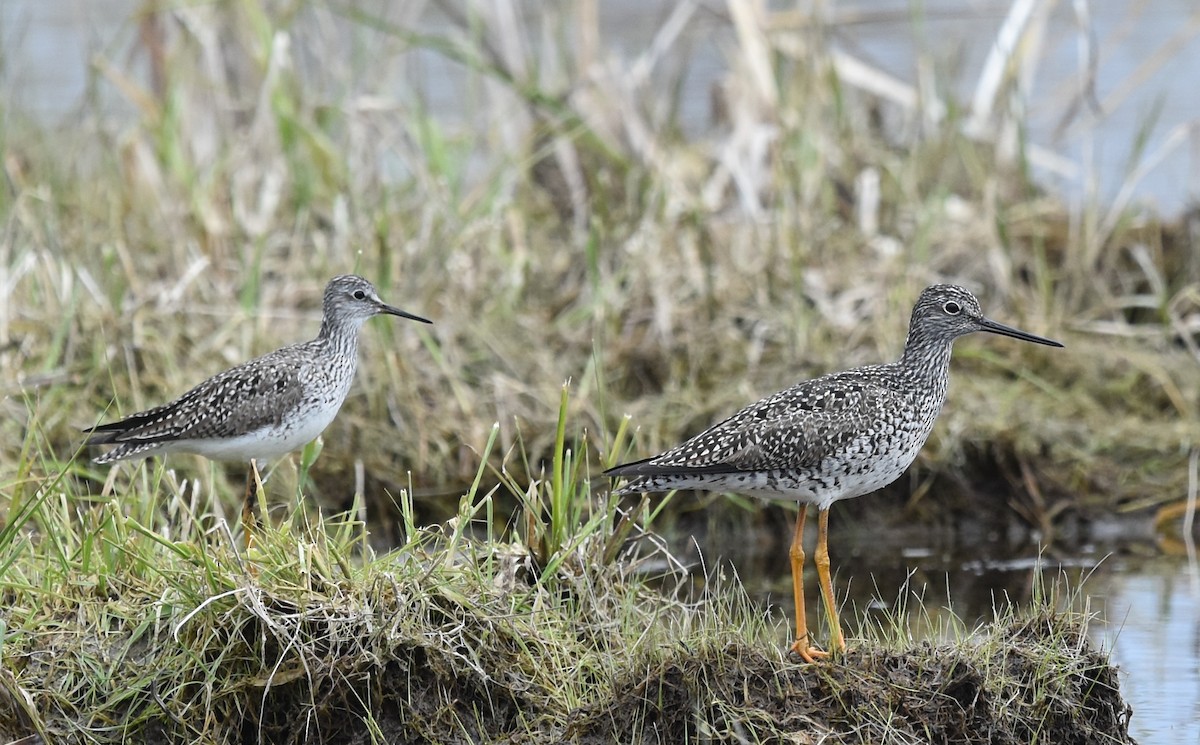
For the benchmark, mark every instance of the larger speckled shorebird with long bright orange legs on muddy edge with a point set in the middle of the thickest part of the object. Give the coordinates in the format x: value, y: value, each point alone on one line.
x: 837, y: 437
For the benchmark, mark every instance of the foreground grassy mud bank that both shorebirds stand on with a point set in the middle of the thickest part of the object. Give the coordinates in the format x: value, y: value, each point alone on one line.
x: 127, y: 635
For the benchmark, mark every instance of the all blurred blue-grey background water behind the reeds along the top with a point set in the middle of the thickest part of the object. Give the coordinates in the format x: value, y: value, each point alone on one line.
x: 49, y: 47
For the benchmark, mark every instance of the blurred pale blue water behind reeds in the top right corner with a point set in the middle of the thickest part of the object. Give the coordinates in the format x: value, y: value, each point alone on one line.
x: 1102, y: 135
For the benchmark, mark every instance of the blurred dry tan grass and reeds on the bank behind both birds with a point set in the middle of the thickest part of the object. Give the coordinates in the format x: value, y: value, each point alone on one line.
x: 572, y: 233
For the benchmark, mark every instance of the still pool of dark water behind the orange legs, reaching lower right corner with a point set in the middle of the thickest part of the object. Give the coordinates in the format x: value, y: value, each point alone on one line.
x: 1147, y: 606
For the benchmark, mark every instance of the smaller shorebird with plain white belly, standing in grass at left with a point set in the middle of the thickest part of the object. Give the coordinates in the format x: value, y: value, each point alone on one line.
x: 265, y: 408
